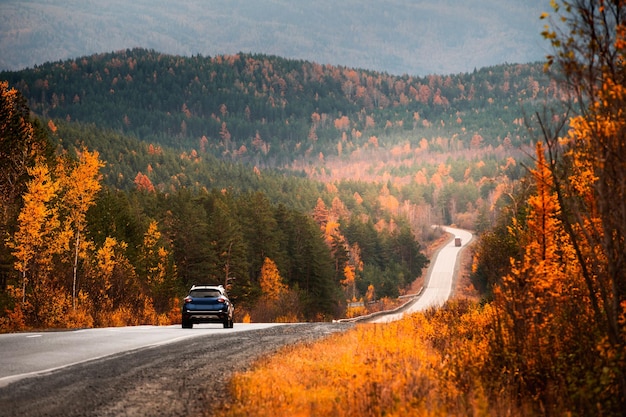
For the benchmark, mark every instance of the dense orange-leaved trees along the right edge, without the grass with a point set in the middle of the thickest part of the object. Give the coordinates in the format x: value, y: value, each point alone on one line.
x: 559, y: 337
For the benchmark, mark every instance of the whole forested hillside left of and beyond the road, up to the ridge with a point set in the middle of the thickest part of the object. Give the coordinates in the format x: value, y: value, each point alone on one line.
x: 223, y: 168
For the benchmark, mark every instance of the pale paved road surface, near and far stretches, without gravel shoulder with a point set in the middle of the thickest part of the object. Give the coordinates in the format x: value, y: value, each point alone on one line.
x: 29, y: 354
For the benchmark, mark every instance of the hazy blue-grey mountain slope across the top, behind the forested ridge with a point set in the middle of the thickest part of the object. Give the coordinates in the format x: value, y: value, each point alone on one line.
x: 398, y: 37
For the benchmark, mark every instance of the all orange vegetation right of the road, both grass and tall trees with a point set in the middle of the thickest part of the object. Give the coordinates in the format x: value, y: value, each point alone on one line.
x: 550, y: 336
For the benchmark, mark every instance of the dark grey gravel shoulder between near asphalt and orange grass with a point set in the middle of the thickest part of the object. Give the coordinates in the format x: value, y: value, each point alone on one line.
x: 180, y: 379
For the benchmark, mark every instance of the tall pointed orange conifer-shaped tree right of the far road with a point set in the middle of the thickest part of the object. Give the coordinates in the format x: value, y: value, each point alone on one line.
x: 539, y: 306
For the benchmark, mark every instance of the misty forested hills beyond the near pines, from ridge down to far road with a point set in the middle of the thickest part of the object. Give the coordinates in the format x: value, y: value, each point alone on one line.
x: 439, y: 141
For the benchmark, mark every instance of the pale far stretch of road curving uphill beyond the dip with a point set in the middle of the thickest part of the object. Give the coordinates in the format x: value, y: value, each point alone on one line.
x: 441, y: 273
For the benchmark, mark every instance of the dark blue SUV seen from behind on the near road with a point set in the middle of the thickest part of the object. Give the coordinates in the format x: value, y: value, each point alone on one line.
x: 207, y: 304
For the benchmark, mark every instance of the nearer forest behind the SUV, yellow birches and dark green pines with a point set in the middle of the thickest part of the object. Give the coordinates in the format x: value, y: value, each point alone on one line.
x: 80, y: 254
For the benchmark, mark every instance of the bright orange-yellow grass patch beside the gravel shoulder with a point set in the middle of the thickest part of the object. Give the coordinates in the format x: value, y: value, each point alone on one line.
x: 424, y: 365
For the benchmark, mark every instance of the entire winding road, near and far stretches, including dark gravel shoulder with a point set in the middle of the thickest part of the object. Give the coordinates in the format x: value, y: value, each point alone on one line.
x: 150, y: 370
